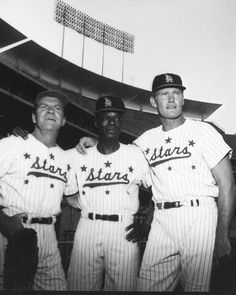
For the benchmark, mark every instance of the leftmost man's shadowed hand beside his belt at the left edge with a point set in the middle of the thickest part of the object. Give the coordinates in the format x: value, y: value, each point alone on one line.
x: 11, y: 225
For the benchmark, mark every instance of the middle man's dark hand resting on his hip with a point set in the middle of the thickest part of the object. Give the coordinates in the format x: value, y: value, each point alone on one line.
x: 139, y: 230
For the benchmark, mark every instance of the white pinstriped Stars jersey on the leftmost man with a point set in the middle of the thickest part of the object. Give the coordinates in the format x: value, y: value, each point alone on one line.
x: 34, y: 177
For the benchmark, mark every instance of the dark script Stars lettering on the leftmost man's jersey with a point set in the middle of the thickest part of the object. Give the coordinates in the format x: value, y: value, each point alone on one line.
x: 43, y: 166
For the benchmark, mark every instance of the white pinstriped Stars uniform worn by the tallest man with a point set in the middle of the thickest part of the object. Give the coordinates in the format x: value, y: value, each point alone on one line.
x: 181, y: 240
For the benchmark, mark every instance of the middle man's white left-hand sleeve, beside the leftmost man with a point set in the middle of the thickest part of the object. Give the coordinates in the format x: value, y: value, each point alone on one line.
x: 72, y: 182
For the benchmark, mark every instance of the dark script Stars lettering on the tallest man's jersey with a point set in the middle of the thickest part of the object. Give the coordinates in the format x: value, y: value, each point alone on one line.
x: 175, y: 153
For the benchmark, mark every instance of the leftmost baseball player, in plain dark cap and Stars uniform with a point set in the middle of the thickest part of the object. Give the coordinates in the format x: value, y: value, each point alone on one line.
x: 34, y: 174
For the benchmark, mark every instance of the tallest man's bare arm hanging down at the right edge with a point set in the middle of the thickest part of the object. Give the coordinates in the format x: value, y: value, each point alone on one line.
x: 223, y: 175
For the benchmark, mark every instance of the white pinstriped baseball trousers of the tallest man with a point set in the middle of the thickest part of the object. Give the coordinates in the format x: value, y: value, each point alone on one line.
x: 179, y: 237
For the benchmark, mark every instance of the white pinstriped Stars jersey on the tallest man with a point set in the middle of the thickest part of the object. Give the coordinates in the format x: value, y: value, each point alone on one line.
x: 181, y: 159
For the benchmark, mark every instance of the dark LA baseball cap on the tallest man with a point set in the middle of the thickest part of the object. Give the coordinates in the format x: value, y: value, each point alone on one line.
x: 167, y: 80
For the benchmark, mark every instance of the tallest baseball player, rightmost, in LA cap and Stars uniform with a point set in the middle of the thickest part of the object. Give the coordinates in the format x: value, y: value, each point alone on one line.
x: 192, y: 185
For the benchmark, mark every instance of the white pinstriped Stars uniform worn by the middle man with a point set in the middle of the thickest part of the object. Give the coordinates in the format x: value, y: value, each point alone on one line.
x: 108, y: 184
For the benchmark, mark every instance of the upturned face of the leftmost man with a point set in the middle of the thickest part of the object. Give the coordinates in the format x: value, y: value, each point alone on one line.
x: 49, y: 114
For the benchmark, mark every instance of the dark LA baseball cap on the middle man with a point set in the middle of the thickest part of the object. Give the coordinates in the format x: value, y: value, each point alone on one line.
x: 109, y: 103
